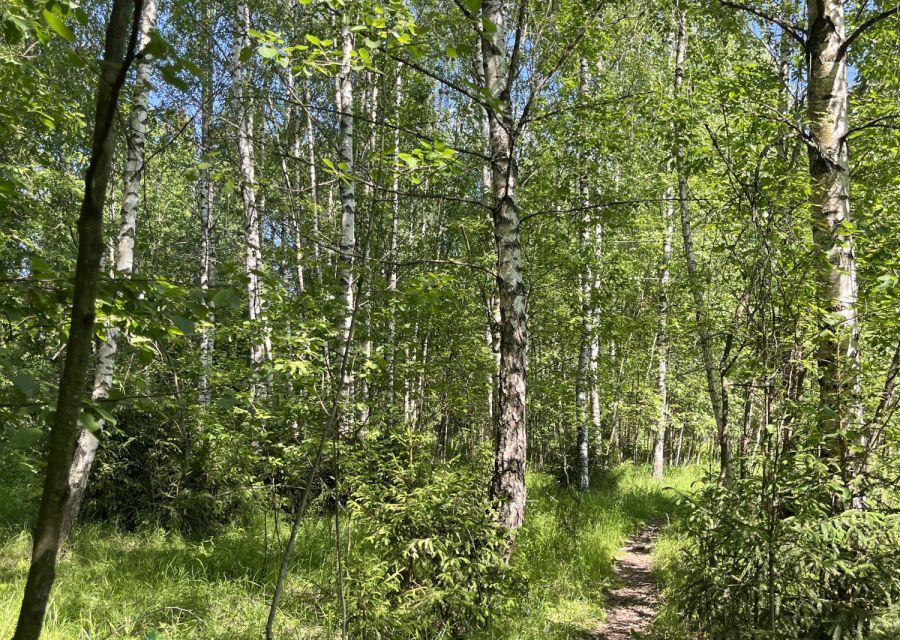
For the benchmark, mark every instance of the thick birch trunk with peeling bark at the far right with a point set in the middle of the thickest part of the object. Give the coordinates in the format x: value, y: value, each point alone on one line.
x: 838, y: 356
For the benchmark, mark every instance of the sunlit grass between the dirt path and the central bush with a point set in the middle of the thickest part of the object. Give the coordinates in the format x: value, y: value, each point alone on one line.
x: 567, y: 547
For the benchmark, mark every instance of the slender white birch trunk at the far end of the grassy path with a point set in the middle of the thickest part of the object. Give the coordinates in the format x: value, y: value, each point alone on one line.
x: 662, y: 338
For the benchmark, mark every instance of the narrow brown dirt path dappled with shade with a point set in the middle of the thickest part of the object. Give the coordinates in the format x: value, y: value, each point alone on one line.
x: 631, y: 608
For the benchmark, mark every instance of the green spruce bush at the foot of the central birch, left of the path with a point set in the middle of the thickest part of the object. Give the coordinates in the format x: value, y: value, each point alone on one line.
x: 431, y: 560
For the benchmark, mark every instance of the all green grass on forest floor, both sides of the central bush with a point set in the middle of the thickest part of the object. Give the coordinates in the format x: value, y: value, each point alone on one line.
x: 154, y: 584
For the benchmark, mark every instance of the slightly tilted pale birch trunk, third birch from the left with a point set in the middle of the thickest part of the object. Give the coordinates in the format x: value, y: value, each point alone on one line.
x: 260, y: 343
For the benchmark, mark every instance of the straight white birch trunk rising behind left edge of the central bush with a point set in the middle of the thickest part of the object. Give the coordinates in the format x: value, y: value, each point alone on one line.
x: 344, y: 97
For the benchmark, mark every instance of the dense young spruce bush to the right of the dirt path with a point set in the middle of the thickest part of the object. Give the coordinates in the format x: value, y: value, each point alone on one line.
x: 767, y: 560
